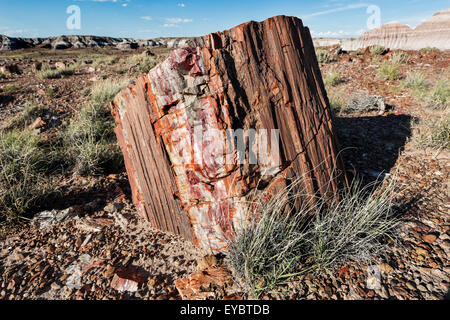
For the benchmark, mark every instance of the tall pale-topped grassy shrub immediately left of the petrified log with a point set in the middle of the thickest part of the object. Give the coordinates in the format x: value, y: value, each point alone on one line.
x: 90, y: 137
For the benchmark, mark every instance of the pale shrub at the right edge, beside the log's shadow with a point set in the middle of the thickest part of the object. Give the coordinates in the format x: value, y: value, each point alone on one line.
x: 432, y: 132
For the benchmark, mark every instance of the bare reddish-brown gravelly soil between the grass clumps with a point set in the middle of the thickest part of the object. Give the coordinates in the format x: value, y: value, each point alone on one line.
x: 101, y: 250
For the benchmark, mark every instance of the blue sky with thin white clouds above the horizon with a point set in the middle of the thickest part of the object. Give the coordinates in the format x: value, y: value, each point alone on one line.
x: 152, y: 18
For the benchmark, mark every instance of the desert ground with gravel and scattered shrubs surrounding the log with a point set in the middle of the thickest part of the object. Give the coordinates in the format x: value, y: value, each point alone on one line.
x: 85, y: 235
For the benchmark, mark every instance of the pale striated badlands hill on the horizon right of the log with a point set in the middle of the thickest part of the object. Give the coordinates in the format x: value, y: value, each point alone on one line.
x: 432, y: 33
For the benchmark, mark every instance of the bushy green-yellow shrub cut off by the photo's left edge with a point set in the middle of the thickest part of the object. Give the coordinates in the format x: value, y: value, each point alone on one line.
x: 23, y: 163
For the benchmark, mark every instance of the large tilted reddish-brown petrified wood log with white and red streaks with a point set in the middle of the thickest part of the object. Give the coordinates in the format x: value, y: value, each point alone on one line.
x: 262, y: 76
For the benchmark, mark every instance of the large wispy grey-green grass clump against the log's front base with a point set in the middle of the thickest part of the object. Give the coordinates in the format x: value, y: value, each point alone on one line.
x: 320, y: 236
